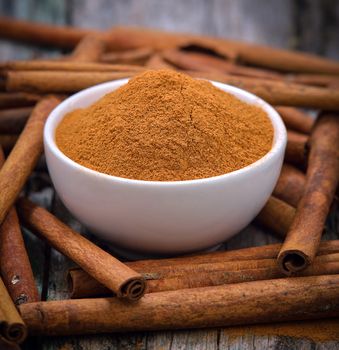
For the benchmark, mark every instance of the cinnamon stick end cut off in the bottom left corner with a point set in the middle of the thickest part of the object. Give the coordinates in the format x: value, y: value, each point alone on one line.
x: 12, y: 327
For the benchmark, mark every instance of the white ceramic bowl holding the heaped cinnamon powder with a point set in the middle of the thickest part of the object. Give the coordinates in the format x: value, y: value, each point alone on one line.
x: 162, y: 217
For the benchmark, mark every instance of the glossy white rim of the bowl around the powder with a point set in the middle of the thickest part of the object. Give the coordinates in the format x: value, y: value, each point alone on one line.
x: 278, y: 146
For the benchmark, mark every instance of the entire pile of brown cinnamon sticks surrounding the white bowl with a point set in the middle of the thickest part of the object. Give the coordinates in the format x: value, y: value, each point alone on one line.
x: 295, y: 280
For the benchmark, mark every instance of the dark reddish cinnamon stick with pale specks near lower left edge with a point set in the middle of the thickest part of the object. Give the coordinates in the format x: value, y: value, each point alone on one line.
x: 15, y: 267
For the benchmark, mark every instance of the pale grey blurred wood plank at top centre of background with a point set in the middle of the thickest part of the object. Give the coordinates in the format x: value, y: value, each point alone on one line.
x: 169, y: 15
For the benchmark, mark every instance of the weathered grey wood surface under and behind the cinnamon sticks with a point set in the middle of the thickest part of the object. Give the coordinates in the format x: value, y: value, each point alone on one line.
x: 303, y: 24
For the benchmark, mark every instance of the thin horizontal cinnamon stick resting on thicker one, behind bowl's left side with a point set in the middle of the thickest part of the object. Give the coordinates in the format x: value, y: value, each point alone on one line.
x: 73, y: 66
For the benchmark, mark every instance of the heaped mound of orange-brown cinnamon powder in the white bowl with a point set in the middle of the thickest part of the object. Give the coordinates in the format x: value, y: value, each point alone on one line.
x: 166, y: 126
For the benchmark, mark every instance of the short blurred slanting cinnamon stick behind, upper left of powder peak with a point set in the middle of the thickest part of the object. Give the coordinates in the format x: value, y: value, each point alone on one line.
x: 89, y: 49
